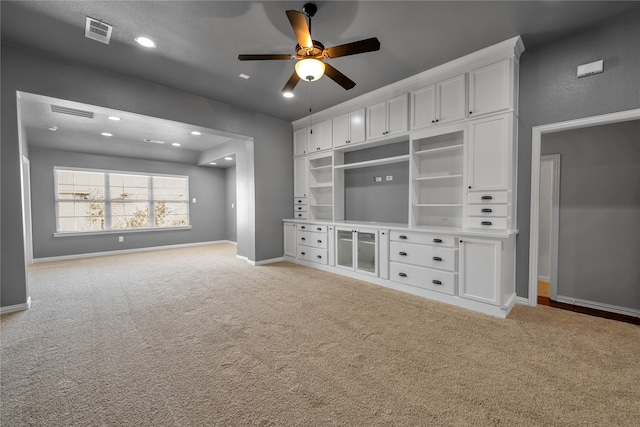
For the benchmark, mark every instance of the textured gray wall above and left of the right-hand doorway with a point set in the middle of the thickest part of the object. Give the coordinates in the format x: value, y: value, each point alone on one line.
x: 550, y: 92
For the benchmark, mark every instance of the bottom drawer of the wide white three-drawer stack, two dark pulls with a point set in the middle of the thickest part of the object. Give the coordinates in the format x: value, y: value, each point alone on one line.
x: 424, y: 278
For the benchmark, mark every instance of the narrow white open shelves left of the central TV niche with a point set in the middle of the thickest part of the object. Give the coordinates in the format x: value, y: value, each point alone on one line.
x: 321, y: 187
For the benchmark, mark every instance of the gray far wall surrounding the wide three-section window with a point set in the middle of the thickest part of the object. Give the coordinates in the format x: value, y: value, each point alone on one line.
x: 207, y: 215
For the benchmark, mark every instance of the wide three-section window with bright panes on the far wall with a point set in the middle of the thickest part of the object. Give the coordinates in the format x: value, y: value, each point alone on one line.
x: 94, y: 200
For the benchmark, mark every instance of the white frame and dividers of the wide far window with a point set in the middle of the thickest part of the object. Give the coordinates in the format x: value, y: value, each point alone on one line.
x: 107, y: 203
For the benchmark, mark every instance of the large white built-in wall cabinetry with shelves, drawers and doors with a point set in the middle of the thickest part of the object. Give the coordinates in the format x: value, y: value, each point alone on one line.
x: 457, y: 244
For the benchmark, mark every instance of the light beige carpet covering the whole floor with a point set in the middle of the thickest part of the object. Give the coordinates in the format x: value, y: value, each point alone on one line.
x: 195, y: 337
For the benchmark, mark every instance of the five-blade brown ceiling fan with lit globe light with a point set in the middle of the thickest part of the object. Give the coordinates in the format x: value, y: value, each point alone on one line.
x: 311, y: 53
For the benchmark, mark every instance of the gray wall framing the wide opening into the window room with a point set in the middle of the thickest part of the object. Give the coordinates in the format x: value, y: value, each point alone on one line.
x: 29, y: 71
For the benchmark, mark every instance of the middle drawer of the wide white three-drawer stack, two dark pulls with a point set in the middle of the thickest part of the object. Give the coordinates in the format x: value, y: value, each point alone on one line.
x: 424, y: 255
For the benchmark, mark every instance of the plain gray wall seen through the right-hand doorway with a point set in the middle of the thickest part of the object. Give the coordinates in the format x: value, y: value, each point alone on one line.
x: 599, y: 236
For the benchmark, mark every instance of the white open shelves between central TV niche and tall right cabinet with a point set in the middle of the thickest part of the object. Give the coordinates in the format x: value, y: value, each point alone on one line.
x: 437, y: 177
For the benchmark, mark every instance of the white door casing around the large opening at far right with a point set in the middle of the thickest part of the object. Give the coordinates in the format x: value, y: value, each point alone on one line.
x: 536, y: 142
